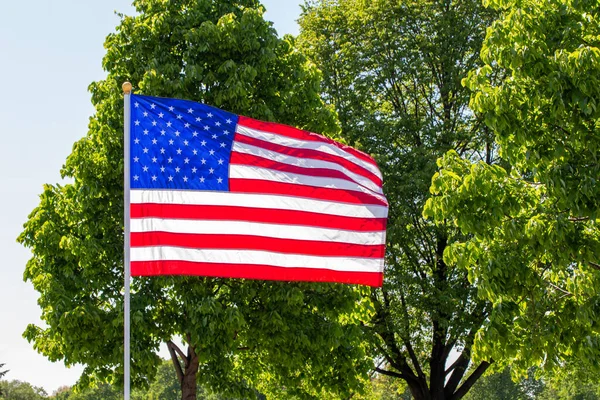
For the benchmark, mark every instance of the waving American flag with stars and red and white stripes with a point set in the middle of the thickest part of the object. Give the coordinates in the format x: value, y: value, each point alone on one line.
x: 217, y: 194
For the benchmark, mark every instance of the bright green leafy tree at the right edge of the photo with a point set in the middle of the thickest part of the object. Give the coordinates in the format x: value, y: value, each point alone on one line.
x: 531, y: 240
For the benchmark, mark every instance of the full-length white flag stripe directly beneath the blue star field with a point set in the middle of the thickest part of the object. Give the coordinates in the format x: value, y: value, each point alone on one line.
x: 262, y: 201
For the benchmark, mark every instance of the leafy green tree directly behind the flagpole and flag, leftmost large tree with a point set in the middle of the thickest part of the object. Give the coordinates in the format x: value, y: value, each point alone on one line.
x: 301, y: 336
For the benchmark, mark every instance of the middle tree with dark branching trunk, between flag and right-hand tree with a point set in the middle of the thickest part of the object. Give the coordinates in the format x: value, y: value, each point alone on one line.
x: 393, y: 70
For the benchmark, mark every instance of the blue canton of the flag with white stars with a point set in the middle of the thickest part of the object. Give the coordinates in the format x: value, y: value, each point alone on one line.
x: 178, y: 144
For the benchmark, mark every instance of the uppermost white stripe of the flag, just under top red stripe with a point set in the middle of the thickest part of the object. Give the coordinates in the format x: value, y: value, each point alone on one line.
x: 307, y: 144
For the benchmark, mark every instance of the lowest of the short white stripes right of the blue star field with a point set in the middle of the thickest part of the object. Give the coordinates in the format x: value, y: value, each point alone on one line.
x: 249, y: 172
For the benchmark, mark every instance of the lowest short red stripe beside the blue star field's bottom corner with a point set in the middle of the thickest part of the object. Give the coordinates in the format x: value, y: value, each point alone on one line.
x: 291, y: 189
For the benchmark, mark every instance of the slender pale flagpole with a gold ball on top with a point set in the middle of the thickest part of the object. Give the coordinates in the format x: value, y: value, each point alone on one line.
x: 126, y: 256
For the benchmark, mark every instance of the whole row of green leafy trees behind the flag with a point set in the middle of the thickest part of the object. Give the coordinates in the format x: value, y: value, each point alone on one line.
x: 484, y: 120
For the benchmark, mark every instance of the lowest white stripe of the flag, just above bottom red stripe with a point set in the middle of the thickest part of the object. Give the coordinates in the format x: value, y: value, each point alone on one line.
x: 255, y: 257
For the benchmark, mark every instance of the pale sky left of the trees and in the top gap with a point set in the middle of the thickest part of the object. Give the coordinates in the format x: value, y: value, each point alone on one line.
x: 50, y: 51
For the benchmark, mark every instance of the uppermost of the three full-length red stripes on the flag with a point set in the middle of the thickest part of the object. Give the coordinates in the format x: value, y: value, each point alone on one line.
x: 234, y: 213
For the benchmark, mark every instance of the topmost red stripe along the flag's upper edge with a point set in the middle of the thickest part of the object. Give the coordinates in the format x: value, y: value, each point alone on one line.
x: 295, y: 133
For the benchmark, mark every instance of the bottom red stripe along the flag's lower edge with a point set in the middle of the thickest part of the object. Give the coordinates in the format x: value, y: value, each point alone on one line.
x: 267, y: 272
